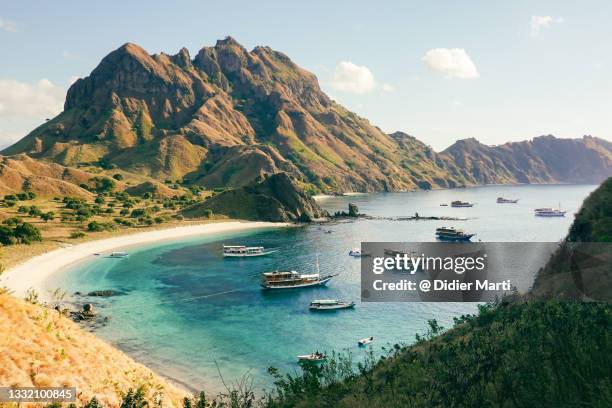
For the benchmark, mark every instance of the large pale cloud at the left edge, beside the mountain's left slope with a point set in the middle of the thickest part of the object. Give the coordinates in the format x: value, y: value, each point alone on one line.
x: 27, y: 100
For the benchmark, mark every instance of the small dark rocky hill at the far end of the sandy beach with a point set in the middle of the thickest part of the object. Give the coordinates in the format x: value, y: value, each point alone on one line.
x: 274, y: 198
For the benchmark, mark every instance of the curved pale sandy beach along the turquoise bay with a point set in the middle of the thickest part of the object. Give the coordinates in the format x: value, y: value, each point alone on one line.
x: 35, y: 271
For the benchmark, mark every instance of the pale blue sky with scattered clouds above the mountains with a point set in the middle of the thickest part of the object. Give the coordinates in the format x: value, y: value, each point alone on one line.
x: 498, y: 71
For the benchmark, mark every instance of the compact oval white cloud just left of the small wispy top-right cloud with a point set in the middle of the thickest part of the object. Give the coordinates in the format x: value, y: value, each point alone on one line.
x: 452, y: 62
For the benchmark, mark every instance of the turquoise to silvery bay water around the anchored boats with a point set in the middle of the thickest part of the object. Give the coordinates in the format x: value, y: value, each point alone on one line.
x: 186, y: 311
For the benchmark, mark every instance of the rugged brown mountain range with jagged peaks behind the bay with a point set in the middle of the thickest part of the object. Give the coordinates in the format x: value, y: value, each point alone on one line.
x: 228, y: 116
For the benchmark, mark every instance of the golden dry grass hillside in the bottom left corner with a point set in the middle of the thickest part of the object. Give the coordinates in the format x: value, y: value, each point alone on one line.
x: 39, y: 347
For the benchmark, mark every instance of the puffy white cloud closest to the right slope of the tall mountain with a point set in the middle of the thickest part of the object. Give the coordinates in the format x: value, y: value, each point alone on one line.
x: 357, y: 79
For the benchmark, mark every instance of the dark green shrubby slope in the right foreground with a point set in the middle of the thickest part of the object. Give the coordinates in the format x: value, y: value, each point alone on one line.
x: 519, y: 354
